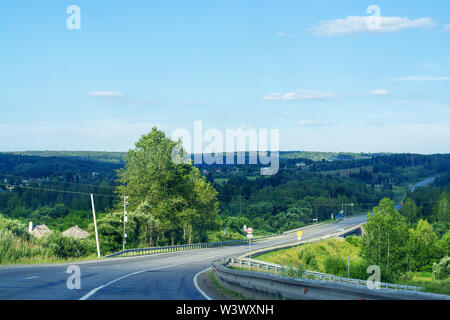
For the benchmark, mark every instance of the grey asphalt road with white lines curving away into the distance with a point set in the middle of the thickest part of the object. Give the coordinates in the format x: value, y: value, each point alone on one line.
x: 164, y: 276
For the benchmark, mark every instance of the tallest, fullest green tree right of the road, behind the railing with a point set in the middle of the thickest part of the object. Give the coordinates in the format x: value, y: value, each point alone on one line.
x: 385, y: 238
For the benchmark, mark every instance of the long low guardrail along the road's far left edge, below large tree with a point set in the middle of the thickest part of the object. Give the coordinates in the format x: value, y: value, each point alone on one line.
x: 183, y: 247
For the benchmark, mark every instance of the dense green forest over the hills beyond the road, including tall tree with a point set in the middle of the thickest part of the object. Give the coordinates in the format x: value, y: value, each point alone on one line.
x: 53, y: 188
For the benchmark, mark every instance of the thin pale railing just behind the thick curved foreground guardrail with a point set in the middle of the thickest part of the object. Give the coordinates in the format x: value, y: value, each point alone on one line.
x: 280, y: 269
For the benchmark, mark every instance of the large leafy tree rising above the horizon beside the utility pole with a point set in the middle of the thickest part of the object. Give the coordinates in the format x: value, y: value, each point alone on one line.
x: 173, y: 201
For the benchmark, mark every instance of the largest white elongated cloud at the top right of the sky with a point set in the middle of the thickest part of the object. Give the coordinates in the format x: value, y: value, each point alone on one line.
x: 362, y: 24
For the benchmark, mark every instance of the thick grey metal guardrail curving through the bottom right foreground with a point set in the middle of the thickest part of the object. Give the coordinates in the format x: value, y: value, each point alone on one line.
x: 264, y: 285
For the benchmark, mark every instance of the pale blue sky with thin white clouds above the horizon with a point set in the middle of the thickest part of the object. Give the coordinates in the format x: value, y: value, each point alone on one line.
x: 311, y: 69
